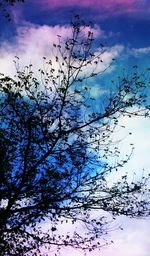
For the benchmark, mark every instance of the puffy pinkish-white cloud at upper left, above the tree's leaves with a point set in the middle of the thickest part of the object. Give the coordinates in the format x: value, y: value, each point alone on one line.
x: 31, y: 44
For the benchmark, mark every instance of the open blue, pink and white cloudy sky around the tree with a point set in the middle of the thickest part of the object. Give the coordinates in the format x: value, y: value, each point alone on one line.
x: 124, y: 25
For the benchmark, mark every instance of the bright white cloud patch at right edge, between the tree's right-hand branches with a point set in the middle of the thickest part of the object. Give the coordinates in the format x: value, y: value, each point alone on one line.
x: 136, y: 132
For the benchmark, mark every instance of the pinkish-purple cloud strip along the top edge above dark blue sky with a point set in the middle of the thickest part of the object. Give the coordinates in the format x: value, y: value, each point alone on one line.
x: 117, y: 6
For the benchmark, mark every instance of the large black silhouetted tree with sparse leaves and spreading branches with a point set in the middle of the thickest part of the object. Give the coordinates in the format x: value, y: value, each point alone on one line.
x: 55, y: 146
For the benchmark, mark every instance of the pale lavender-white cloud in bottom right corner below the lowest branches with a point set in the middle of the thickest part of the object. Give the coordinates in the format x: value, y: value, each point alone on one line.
x: 132, y: 241
